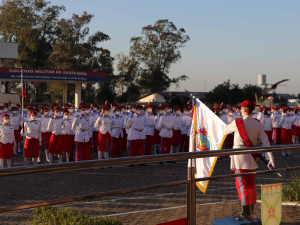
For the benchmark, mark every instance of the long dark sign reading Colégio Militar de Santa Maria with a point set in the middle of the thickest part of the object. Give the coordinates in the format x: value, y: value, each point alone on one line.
x: 49, y: 75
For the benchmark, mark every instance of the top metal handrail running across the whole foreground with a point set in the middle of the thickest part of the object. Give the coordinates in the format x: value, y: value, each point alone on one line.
x: 140, y: 160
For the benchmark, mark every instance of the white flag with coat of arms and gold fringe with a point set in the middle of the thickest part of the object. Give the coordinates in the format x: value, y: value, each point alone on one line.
x: 206, y: 135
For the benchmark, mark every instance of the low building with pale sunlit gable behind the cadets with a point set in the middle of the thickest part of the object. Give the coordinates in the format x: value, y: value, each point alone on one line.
x: 169, y: 97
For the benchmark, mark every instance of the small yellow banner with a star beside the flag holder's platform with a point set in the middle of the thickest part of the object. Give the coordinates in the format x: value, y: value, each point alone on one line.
x: 271, y: 207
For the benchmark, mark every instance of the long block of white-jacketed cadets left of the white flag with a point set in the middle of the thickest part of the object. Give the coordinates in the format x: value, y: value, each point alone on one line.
x: 108, y: 129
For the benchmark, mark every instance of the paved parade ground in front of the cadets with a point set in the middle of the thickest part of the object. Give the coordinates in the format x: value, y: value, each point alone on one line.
x: 147, y: 207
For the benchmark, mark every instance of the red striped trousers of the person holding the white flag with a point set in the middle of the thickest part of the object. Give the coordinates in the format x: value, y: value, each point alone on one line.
x: 247, y: 190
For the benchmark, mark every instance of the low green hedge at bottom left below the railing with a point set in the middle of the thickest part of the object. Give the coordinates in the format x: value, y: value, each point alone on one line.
x: 47, y: 215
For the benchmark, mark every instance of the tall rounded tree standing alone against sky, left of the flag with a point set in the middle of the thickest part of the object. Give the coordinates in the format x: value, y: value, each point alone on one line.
x: 157, y: 49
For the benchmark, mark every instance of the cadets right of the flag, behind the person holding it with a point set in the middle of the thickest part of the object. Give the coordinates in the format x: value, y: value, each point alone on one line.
x: 281, y: 124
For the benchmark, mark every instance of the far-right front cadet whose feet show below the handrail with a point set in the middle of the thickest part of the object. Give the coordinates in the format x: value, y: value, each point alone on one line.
x: 286, y: 123
